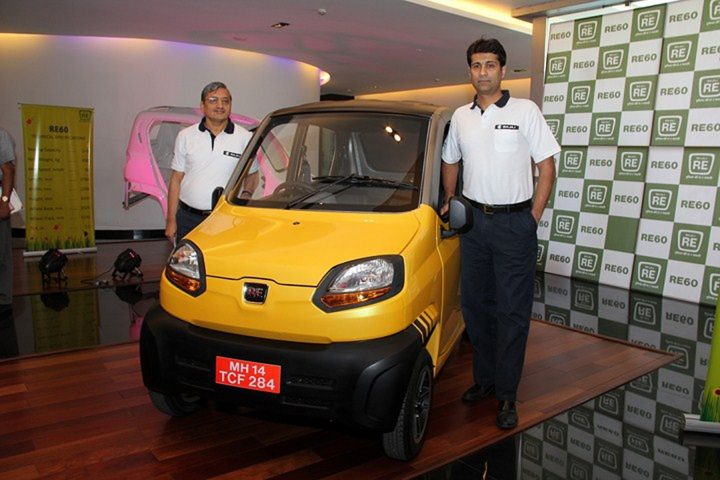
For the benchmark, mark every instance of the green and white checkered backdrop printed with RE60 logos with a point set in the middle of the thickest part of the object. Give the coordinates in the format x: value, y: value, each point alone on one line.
x: 634, y: 100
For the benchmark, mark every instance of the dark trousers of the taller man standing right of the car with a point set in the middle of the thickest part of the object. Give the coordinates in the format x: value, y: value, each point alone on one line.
x: 498, y: 258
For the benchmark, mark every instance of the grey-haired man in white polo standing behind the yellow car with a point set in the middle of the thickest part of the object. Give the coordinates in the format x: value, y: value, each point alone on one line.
x: 206, y: 154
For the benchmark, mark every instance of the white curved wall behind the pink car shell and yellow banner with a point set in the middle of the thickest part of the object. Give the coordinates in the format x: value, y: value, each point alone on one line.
x: 120, y: 77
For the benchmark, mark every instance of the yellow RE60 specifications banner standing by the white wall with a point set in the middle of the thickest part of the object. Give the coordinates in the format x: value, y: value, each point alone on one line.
x: 58, y: 178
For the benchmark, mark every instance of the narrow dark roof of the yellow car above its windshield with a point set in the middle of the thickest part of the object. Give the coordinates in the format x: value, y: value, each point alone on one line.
x: 382, y: 106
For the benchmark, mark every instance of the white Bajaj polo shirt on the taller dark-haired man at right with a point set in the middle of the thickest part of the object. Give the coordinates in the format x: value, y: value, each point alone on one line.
x: 496, y: 147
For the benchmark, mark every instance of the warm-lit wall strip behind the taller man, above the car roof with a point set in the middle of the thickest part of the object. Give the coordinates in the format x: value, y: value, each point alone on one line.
x: 453, y: 96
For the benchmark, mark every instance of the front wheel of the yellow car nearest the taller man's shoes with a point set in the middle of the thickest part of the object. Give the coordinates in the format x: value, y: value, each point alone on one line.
x: 406, y: 440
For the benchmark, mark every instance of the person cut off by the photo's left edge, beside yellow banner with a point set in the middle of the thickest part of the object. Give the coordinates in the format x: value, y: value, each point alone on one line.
x: 7, y: 180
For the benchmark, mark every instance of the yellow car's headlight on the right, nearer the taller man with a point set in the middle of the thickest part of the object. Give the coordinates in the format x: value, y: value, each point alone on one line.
x: 360, y: 282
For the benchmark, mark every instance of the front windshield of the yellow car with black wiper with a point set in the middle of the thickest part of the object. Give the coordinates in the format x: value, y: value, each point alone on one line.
x: 341, y: 161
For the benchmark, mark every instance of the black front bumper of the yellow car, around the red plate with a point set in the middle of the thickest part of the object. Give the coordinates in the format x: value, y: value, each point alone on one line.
x: 360, y: 383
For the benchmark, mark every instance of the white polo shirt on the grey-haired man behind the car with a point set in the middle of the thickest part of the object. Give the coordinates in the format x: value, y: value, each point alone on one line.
x: 206, y: 162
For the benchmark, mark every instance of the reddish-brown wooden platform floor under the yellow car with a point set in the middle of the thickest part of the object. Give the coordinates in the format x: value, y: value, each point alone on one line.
x: 86, y: 414
